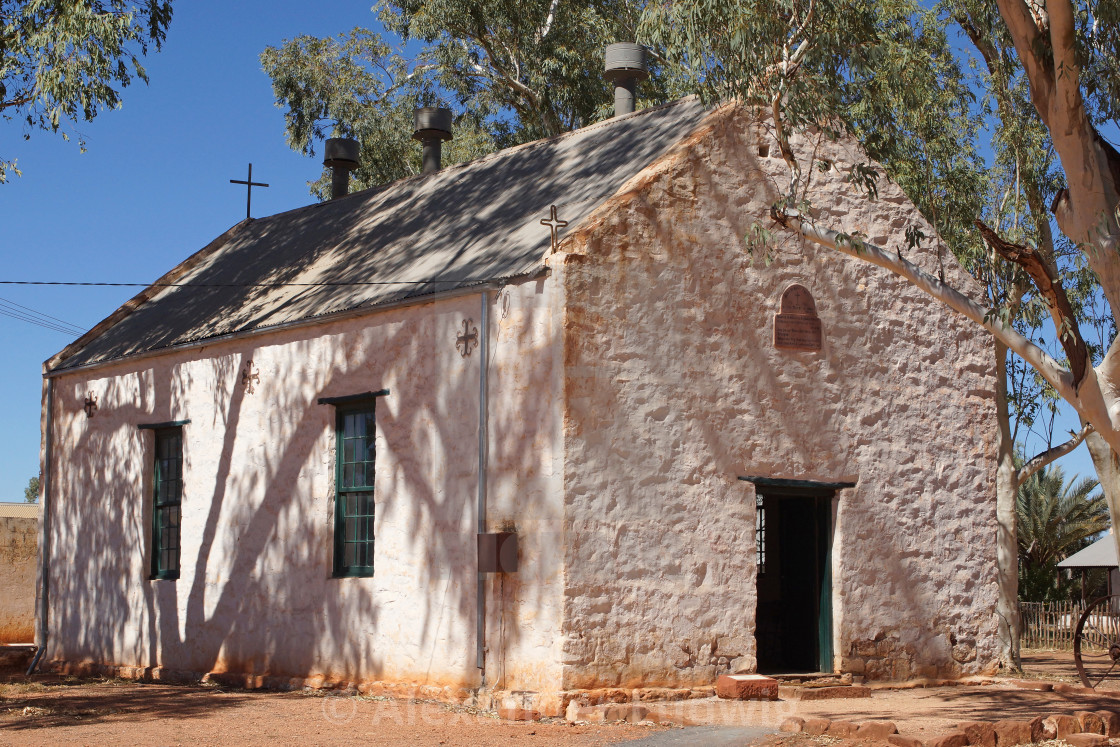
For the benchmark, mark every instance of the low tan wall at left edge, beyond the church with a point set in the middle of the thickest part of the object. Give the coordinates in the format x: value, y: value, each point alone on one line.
x: 18, y: 550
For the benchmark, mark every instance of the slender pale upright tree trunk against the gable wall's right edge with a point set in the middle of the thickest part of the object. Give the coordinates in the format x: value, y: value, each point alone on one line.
x: 1007, y: 546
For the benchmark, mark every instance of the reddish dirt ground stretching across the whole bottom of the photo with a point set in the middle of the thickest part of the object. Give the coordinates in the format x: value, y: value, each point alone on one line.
x: 53, y: 709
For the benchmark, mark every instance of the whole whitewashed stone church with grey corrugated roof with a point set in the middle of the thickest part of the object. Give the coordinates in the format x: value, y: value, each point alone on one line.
x: 409, y: 438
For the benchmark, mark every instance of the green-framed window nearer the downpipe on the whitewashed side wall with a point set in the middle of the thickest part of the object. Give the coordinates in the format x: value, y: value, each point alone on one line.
x: 354, y: 457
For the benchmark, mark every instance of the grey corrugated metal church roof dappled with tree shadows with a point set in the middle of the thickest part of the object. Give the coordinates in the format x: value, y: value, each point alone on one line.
x: 463, y: 226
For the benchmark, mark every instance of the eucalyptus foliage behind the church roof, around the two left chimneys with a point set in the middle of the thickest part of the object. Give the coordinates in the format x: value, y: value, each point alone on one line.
x: 514, y: 71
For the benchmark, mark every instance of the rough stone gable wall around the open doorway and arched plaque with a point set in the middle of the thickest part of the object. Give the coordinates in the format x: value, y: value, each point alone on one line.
x: 674, y: 389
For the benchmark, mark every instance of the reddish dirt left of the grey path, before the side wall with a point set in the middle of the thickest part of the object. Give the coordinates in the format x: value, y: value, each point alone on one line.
x: 52, y: 711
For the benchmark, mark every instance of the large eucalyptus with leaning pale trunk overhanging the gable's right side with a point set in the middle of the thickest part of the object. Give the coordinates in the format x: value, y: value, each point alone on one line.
x: 889, y: 73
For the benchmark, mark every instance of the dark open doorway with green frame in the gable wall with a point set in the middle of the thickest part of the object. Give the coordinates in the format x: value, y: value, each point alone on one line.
x: 794, y: 622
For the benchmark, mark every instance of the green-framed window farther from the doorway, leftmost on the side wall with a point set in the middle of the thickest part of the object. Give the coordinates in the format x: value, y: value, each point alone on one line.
x: 167, y: 505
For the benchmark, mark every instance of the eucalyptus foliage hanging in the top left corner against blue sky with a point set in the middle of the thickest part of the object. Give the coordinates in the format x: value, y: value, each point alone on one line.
x: 69, y: 60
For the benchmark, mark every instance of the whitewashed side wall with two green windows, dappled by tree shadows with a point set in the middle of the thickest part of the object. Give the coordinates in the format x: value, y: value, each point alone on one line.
x: 256, y: 593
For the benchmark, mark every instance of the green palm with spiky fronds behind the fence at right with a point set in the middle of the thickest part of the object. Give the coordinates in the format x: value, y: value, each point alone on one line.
x: 1056, y: 520
